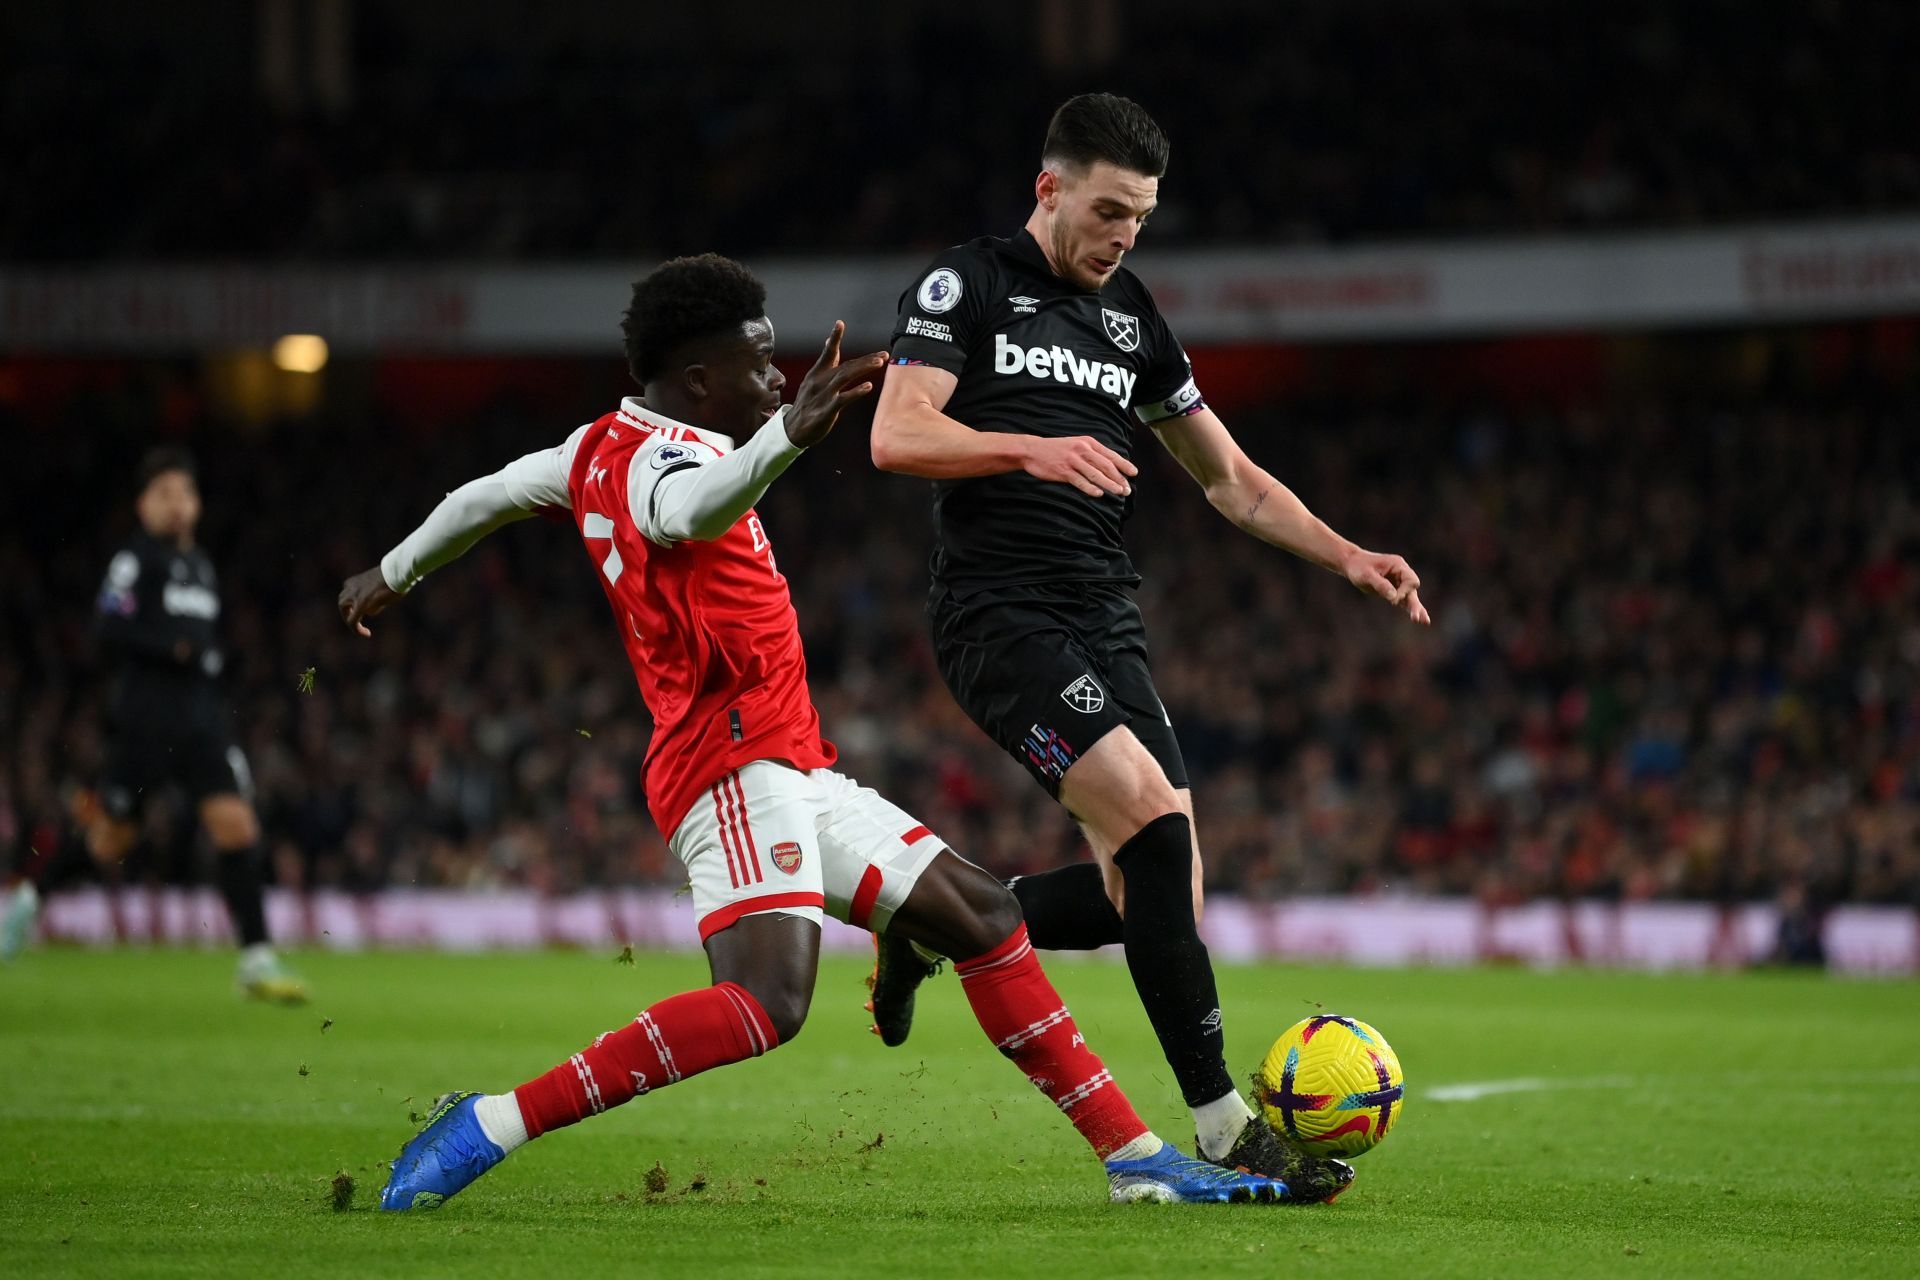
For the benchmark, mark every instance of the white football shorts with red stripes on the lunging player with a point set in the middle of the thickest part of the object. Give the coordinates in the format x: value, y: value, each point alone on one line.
x: 771, y: 838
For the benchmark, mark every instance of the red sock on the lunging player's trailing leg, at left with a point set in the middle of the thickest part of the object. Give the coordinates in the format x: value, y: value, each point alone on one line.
x: 669, y: 1043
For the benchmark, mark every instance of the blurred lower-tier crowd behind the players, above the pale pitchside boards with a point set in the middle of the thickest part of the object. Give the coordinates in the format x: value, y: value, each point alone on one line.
x: 1675, y: 655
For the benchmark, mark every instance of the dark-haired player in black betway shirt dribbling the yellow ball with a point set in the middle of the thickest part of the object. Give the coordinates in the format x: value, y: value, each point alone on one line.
x: 1022, y: 369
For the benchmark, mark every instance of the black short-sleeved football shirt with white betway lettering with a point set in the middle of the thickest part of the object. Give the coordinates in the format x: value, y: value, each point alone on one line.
x: 1038, y: 356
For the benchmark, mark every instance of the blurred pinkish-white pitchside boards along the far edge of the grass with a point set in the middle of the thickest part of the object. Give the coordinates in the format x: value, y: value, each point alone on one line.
x: 1370, y: 932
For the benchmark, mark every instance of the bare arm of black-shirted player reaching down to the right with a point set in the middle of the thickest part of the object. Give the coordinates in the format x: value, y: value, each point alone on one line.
x: 1270, y: 511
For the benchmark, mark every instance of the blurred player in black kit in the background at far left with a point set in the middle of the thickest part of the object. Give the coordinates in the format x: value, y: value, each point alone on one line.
x: 156, y: 615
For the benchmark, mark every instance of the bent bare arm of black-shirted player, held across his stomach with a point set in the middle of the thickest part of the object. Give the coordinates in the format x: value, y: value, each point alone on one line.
x: 915, y: 437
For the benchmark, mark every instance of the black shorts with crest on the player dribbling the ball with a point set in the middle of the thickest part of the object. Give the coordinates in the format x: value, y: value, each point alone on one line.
x: 1049, y: 671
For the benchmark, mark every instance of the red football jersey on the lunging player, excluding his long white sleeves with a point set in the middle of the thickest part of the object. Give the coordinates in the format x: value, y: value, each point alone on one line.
x: 709, y: 627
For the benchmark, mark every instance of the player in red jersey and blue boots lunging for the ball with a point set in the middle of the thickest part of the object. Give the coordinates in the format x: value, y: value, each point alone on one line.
x: 738, y: 776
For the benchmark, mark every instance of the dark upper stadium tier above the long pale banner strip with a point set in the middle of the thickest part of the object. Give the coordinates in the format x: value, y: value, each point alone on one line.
x: 1293, y: 124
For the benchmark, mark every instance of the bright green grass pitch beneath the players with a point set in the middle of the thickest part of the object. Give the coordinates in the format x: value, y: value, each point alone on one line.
x: 1762, y: 1126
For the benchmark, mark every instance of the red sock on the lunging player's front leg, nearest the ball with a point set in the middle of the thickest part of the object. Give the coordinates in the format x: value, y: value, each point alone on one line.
x: 1028, y: 1022
